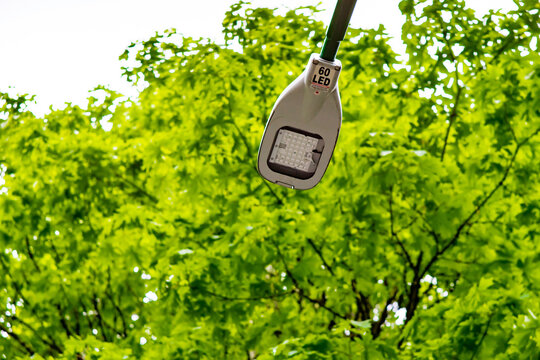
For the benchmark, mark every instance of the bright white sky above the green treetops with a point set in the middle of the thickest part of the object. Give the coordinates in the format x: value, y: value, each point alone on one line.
x: 61, y: 49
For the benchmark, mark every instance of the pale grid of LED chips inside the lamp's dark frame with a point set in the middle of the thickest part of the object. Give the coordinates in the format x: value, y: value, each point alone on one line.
x: 294, y: 150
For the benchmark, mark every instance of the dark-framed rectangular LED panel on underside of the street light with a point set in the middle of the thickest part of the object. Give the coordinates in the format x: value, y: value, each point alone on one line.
x: 296, y: 154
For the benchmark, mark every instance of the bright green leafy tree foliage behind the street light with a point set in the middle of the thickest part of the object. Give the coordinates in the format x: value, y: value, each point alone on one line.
x: 158, y: 239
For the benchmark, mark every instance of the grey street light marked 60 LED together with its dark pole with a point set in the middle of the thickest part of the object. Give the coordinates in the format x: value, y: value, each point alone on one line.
x: 302, y: 131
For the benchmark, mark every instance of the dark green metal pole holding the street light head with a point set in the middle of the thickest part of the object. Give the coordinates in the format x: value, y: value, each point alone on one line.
x: 337, y: 29
